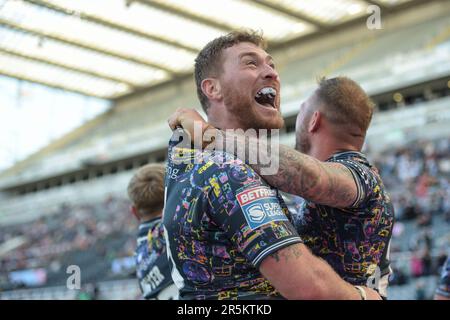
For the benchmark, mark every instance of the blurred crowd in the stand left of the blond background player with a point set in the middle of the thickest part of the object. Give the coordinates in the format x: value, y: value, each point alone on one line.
x: 49, y: 241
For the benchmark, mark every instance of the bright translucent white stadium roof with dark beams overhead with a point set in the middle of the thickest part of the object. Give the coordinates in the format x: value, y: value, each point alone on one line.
x: 113, y: 48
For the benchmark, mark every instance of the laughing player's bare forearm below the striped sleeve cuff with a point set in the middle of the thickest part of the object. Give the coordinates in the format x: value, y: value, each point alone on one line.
x: 297, y: 274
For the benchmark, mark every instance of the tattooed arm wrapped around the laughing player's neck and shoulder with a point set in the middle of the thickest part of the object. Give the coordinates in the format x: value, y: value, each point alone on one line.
x: 324, y: 183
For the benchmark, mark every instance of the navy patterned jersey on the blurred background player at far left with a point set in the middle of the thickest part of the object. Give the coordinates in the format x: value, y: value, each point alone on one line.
x: 152, y: 266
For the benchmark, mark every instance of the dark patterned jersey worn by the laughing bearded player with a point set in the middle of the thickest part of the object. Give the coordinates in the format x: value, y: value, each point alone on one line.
x: 222, y: 220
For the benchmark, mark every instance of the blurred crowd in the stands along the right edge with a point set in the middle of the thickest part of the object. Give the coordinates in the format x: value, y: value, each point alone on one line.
x: 418, y: 179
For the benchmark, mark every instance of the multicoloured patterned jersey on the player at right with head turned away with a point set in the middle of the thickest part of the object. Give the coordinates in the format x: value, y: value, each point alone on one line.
x: 354, y: 240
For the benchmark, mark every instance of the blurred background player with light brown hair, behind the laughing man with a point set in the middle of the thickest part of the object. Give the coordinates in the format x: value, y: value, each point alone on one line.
x: 146, y: 192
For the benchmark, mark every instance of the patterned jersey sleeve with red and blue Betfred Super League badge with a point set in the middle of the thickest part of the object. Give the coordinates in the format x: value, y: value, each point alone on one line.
x: 249, y: 211
